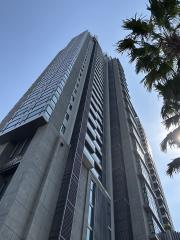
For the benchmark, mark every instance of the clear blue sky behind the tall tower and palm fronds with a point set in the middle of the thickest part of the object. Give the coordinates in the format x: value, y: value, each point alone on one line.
x: 32, y: 32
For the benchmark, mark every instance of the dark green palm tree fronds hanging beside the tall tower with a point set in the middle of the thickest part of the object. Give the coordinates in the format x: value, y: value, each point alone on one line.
x: 153, y: 43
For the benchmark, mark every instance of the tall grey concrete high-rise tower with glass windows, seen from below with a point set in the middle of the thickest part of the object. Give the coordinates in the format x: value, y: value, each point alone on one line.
x: 74, y: 159
